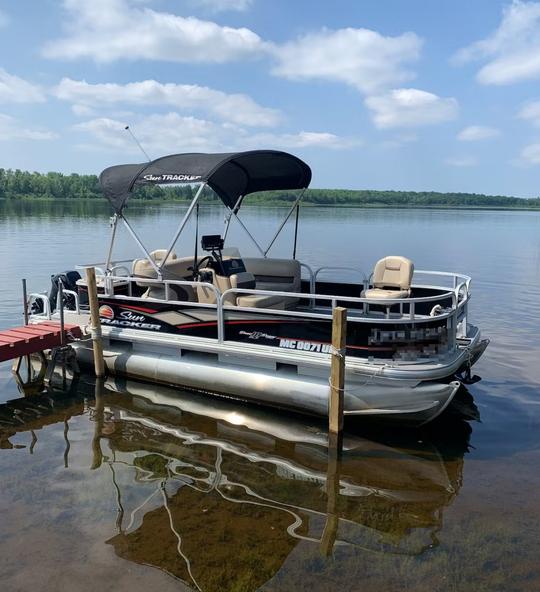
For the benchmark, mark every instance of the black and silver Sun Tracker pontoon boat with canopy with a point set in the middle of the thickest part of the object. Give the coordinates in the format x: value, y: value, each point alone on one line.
x: 259, y: 328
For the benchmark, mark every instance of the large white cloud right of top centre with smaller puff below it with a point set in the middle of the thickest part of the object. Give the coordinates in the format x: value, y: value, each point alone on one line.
x: 371, y: 63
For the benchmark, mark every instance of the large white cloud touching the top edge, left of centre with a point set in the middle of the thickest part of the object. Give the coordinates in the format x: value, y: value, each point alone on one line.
x: 108, y: 30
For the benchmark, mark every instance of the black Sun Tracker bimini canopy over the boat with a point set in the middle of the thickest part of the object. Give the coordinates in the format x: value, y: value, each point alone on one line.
x: 230, y: 175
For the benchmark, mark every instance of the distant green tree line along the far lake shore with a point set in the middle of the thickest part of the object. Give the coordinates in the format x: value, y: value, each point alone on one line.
x: 16, y: 184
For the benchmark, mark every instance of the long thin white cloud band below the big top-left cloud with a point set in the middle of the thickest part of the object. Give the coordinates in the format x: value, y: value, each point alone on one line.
x: 236, y: 108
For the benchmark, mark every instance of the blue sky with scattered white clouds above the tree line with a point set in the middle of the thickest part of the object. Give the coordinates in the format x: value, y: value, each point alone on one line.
x: 385, y: 94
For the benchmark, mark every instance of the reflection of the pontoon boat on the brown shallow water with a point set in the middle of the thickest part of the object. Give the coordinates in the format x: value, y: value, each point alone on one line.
x: 216, y: 493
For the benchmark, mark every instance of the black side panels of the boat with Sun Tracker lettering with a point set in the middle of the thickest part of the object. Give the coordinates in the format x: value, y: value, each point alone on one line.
x: 387, y: 341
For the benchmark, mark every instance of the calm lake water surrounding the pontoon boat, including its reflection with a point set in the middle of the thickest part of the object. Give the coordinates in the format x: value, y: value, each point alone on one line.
x: 155, y: 488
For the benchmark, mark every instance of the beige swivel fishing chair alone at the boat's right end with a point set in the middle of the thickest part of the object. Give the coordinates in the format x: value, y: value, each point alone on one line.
x: 392, y: 278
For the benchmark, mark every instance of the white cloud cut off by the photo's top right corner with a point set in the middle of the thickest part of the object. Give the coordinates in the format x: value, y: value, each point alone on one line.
x: 512, y: 50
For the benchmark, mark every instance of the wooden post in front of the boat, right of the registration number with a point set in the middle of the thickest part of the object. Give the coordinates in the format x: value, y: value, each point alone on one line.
x: 337, y: 378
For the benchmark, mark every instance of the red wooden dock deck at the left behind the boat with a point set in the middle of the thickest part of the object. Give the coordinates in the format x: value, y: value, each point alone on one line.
x: 31, y: 339
